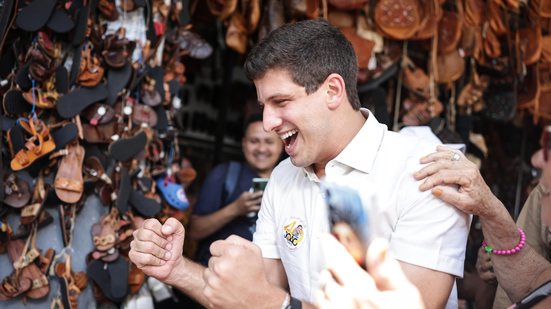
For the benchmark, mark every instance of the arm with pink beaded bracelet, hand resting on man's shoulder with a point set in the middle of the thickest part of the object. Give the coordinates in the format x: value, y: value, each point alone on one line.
x: 518, y: 273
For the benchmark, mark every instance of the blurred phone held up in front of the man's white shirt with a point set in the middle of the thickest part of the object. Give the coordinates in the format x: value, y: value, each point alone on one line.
x: 348, y: 219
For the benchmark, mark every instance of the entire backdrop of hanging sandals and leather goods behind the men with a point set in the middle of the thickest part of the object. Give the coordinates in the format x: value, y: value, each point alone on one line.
x: 90, y: 90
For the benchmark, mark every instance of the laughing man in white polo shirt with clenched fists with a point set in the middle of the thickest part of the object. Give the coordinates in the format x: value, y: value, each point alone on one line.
x: 305, y: 75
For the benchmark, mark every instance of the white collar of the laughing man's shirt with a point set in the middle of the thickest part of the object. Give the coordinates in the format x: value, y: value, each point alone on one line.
x: 362, y: 150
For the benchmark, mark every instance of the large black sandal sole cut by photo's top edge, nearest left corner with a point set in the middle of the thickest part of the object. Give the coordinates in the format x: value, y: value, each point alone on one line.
x: 35, y: 15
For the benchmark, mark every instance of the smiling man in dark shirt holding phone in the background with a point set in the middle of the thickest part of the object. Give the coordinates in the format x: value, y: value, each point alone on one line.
x: 219, y: 214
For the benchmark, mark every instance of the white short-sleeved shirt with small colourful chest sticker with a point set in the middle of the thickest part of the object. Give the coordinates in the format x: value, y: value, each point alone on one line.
x: 421, y: 229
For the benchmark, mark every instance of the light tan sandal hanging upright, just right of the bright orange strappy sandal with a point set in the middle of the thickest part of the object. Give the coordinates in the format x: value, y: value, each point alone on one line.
x: 69, y: 183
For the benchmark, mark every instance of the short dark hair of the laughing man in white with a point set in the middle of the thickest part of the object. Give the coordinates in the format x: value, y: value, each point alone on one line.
x: 310, y: 51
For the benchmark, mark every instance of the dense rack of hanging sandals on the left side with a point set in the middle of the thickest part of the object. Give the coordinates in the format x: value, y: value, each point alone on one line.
x: 89, y: 91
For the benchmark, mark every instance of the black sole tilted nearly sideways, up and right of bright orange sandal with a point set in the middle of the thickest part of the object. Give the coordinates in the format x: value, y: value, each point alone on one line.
x: 77, y: 100
